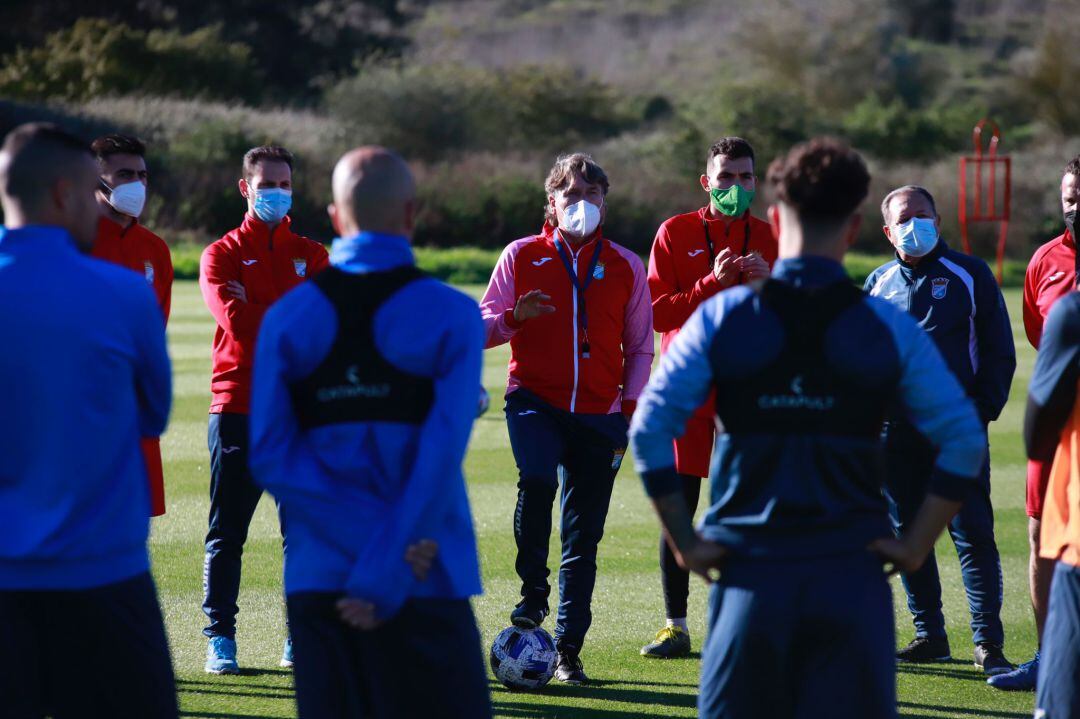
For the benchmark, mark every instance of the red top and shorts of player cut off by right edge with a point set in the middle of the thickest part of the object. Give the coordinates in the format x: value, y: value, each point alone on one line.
x: 1051, y: 275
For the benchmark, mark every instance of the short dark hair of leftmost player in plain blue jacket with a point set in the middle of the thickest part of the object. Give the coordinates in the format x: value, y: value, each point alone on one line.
x: 34, y: 157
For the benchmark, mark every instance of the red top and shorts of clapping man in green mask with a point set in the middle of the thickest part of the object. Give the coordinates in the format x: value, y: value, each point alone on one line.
x: 681, y: 278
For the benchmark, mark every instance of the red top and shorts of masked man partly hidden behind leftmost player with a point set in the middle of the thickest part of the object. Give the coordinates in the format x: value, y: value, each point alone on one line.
x: 142, y: 251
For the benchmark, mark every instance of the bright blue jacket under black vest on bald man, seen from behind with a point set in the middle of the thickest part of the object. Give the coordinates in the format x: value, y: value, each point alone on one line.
x: 356, y: 495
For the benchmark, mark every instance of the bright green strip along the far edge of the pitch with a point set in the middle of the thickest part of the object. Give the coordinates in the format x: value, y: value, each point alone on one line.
x: 472, y: 266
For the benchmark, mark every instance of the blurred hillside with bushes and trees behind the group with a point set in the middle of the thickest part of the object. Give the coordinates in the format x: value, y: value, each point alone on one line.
x: 481, y: 96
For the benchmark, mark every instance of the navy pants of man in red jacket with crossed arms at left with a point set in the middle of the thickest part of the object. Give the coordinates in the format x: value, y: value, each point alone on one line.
x: 234, y: 497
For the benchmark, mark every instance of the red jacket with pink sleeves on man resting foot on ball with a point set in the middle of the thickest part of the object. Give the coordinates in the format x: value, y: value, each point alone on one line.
x: 547, y: 352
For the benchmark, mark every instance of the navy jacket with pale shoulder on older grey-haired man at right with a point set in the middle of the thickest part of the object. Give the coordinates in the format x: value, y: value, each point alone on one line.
x: 956, y: 300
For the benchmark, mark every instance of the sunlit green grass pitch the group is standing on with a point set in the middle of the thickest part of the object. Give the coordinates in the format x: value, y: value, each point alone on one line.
x: 628, y: 606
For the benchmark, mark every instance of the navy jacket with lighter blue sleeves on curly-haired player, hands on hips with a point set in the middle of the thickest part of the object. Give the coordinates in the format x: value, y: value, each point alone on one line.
x: 803, y: 490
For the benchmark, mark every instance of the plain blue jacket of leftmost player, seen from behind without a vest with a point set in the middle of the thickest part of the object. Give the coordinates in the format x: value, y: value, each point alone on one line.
x: 84, y: 376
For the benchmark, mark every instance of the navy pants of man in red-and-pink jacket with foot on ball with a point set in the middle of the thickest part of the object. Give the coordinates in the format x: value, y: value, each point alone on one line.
x: 586, y: 452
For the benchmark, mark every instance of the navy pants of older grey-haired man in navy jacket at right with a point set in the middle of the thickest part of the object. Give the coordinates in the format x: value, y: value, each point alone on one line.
x: 910, y: 464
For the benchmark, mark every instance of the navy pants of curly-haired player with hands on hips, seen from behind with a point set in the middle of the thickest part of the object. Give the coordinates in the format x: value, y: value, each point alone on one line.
x: 800, y: 639
